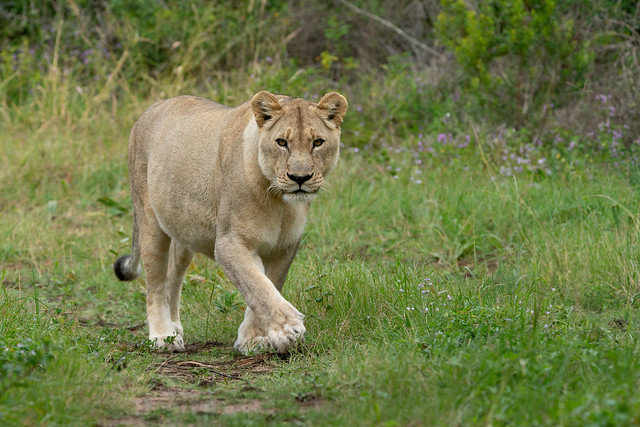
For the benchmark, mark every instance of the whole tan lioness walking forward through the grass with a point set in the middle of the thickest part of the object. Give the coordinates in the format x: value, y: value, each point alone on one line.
x: 234, y: 184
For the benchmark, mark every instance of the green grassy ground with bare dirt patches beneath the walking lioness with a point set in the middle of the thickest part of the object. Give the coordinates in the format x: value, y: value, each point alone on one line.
x: 437, y: 292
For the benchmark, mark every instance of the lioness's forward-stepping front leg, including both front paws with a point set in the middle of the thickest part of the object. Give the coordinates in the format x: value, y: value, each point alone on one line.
x: 270, y: 320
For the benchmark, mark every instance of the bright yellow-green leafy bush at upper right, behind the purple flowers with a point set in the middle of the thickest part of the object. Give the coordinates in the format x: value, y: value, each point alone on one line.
x: 515, y: 57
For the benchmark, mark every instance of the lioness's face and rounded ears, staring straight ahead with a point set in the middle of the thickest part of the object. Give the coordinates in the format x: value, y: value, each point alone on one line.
x: 299, y: 142
